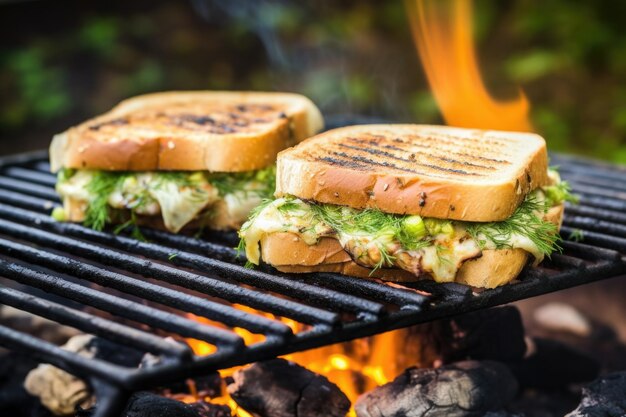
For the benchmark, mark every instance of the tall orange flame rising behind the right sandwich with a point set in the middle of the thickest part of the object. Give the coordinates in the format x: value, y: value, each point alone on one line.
x: 442, y: 30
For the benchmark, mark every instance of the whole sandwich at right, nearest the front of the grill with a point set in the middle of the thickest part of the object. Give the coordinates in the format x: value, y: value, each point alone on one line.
x: 402, y: 202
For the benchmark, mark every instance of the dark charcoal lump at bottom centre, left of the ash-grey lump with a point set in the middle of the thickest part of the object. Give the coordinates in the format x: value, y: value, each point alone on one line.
x: 278, y: 388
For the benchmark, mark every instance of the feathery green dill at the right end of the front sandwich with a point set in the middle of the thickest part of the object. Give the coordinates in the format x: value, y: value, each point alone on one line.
x: 525, y: 222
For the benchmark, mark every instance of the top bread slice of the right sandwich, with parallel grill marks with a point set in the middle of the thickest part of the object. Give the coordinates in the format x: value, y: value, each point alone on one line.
x: 433, y: 171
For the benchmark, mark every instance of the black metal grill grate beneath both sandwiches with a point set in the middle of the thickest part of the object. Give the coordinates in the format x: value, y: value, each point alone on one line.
x: 73, y: 264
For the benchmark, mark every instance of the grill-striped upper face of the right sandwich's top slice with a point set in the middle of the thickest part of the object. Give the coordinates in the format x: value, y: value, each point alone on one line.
x: 438, y: 156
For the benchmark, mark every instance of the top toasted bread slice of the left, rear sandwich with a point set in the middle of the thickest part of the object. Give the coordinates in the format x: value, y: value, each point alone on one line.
x: 201, y: 130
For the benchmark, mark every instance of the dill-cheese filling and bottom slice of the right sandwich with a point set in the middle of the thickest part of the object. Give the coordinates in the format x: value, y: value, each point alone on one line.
x: 302, y: 236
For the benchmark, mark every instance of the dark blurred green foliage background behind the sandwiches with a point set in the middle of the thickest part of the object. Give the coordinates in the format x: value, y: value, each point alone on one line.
x: 351, y: 57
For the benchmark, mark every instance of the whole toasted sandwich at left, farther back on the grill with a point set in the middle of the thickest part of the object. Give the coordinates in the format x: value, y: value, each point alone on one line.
x: 178, y: 159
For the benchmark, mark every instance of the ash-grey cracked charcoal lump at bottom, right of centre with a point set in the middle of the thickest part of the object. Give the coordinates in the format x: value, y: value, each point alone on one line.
x: 462, y: 389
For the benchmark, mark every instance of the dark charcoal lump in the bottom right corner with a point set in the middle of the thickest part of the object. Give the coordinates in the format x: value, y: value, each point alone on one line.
x: 605, y: 397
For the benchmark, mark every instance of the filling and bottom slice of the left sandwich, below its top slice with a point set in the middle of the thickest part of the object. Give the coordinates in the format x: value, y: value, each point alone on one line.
x: 165, y: 199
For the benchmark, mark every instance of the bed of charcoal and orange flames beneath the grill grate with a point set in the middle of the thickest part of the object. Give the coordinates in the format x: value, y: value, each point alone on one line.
x: 474, y: 364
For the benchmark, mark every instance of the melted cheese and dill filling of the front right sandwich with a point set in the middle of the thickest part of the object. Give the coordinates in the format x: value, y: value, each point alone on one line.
x: 437, y: 247
